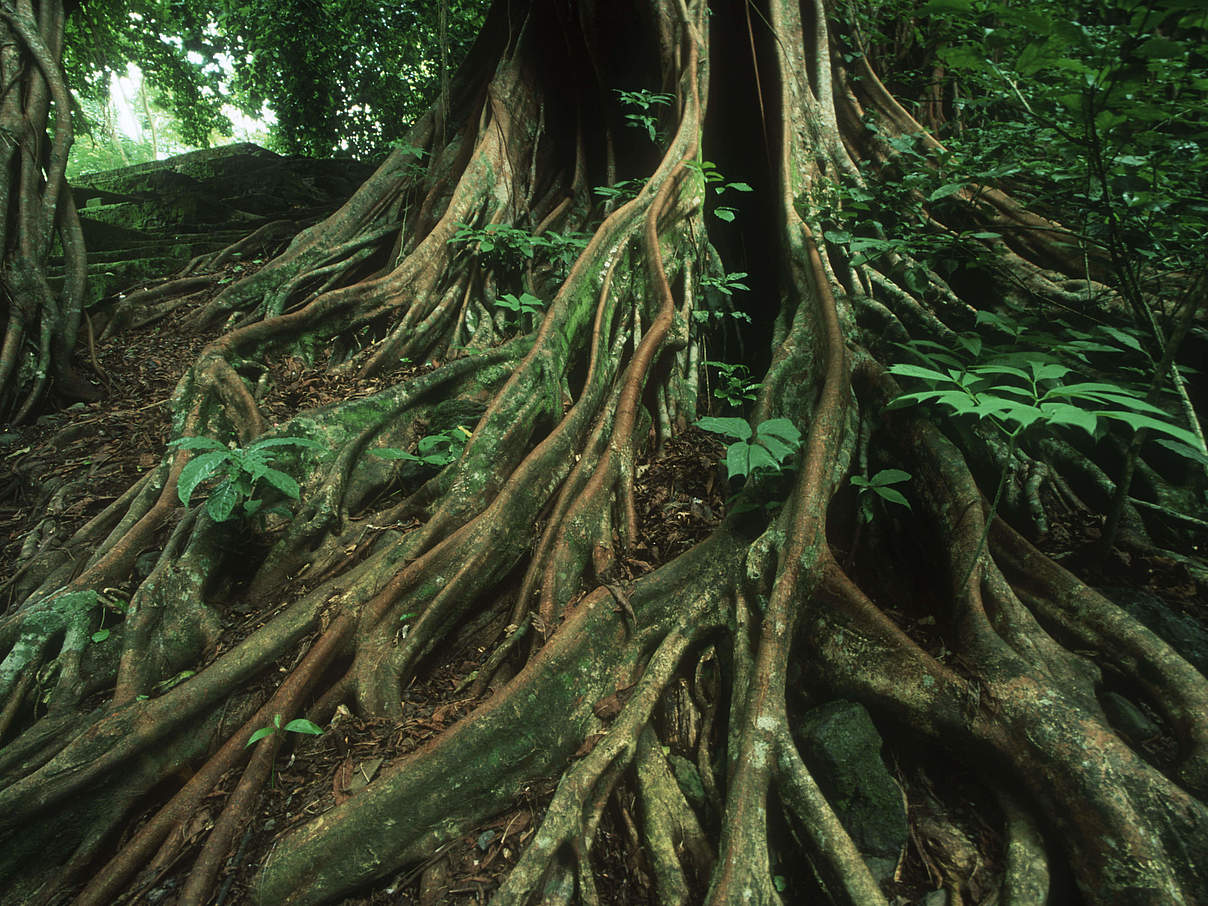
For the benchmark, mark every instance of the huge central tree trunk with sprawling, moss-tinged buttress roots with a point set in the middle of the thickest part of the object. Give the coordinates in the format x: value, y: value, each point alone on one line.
x: 528, y: 547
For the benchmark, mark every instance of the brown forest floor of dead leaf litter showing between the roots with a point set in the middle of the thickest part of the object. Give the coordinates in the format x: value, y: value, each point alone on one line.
x: 59, y: 473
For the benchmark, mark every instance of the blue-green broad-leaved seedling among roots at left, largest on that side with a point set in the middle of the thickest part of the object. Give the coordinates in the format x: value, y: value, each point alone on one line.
x: 243, y: 474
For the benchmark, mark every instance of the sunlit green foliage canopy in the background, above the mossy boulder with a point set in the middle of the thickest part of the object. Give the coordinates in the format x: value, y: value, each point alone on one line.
x: 340, y: 75
